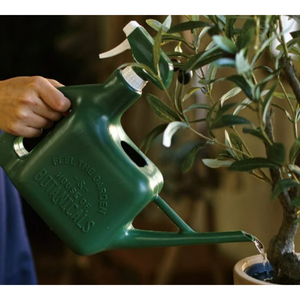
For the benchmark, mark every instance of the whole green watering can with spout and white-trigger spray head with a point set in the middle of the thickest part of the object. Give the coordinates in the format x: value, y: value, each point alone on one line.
x: 86, y: 179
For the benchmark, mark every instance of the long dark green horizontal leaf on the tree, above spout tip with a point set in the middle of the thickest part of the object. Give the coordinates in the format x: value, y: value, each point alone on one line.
x: 251, y: 164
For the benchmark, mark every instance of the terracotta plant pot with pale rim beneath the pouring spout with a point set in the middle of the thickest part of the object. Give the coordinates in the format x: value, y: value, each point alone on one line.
x: 239, y: 275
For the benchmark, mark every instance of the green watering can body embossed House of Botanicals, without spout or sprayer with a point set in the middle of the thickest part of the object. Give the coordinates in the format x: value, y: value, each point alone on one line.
x: 85, y: 179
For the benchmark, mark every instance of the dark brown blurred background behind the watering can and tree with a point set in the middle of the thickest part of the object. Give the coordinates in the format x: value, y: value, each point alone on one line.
x: 66, y: 48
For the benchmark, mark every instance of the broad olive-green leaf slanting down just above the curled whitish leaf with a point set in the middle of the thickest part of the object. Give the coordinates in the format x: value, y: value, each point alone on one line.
x: 162, y: 110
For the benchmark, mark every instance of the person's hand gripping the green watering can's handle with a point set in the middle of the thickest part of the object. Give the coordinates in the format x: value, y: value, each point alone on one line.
x: 29, y: 104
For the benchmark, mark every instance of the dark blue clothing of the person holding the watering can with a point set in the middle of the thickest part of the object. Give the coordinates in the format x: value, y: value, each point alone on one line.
x: 16, y: 262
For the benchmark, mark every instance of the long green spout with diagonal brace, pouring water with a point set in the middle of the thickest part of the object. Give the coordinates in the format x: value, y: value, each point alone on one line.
x: 135, y: 238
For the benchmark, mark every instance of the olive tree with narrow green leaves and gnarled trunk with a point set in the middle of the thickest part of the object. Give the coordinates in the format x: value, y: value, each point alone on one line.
x: 261, y: 81
